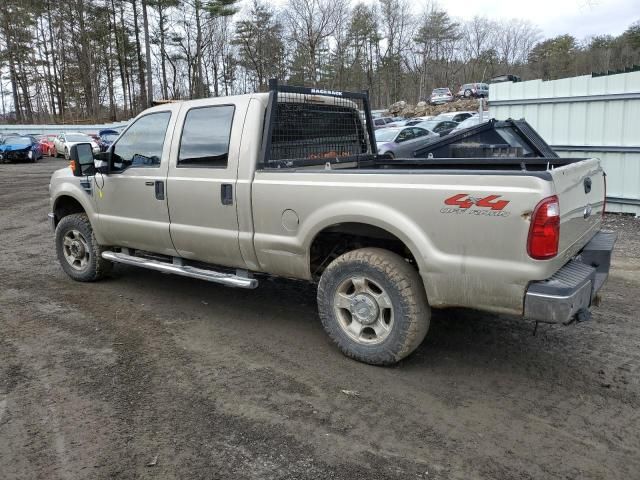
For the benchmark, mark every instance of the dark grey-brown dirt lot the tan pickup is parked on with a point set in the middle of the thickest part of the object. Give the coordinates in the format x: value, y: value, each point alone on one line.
x: 104, y: 380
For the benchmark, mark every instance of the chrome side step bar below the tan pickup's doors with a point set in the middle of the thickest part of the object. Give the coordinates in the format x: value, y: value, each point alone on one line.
x: 184, y: 270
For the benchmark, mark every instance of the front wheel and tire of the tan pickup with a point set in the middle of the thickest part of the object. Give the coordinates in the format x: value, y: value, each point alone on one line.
x: 78, y: 251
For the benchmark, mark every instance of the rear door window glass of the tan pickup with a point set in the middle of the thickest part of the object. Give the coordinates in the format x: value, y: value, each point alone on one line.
x: 205, y: 137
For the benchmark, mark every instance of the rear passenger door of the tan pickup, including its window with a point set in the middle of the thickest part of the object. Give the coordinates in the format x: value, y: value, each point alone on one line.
x: 202, y: 181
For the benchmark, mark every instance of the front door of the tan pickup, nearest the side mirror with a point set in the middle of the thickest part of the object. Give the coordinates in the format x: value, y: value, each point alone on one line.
x: 132, y: 199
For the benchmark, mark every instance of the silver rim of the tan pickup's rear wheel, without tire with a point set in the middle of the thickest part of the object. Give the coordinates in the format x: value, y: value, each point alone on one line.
x: 364, y: 310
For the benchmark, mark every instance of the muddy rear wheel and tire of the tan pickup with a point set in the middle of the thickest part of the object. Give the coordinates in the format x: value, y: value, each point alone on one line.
x: 373, y: 305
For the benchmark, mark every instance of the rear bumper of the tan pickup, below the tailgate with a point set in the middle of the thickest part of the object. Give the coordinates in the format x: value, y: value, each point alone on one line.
x: 572, y: 289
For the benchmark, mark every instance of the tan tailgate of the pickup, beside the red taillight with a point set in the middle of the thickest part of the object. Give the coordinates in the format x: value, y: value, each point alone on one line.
x: 580, y: 188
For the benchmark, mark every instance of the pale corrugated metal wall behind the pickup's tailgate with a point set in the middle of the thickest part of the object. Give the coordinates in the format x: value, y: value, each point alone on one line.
x: 584, y: 117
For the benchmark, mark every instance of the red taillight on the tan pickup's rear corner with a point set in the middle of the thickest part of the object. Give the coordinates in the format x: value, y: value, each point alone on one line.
x: 544, y: 233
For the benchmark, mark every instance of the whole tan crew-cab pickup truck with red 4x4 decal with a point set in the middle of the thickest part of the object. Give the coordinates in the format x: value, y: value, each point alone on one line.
x: 289, y: 183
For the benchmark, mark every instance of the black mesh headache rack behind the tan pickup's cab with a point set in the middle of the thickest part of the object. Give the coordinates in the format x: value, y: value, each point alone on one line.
x: 312, y: 126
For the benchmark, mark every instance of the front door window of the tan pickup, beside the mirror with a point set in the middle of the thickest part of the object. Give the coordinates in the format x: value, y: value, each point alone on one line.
x: 141, y: 145
